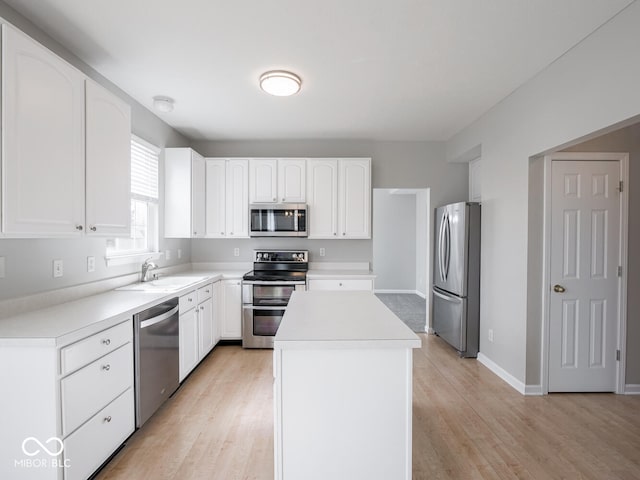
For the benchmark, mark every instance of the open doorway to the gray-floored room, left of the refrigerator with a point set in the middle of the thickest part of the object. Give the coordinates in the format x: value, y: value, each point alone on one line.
x: 401, y: 252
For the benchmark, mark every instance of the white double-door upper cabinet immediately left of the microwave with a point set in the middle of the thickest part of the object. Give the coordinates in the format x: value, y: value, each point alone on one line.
x: 227, y: 195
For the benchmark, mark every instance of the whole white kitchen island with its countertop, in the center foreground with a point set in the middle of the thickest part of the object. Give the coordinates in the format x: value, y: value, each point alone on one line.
x: 343, y: 365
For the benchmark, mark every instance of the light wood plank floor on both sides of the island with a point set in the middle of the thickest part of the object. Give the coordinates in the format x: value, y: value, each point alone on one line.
x: 467, y: 424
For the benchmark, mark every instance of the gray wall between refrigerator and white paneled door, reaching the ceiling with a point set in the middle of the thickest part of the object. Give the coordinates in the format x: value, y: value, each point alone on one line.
x: 584, y: 93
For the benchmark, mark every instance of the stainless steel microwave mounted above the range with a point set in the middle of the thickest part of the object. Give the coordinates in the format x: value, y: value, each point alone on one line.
x: 278, y: 220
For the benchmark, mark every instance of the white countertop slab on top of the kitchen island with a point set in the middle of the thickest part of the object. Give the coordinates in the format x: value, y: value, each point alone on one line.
x: 341, y: 319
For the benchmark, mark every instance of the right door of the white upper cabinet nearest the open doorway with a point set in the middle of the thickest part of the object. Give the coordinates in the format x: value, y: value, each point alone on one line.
x: 354, y: 198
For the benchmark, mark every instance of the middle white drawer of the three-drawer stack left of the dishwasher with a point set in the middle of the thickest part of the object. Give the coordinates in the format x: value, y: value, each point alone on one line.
x: 91, y: 388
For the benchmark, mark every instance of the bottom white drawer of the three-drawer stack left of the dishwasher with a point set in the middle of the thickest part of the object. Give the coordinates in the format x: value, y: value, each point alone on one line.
x: 88, y: 447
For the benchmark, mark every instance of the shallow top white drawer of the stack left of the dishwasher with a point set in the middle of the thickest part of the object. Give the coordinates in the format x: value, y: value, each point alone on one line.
x: 86, y: 351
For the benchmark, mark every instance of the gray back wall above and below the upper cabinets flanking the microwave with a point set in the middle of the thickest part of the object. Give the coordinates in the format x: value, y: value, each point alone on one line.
x: 394, y: 165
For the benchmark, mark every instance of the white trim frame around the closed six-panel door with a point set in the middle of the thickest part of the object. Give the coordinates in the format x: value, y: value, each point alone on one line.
x: 623, y: 159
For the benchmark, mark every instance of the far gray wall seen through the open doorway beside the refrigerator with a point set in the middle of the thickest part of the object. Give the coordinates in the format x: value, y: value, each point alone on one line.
x: 394, y: 240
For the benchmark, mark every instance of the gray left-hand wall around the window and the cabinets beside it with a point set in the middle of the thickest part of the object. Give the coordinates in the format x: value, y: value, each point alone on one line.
x: 29, y: 261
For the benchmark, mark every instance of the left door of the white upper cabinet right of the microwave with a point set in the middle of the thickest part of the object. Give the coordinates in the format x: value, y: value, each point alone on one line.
x: 322, y: 197
